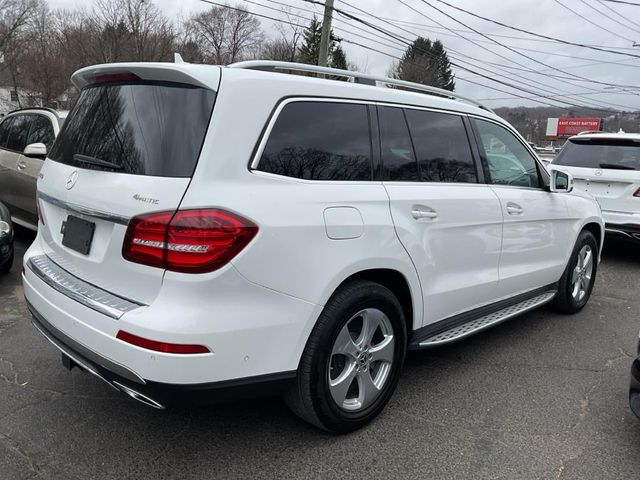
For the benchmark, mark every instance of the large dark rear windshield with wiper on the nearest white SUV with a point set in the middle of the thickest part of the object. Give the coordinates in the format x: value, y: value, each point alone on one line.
x: 154, y: 129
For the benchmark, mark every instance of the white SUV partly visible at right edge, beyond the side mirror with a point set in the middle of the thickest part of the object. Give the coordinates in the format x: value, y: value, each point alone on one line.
x: 607, y: 165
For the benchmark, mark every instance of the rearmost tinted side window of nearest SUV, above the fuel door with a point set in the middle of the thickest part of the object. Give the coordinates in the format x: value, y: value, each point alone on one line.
x: 320, y: 141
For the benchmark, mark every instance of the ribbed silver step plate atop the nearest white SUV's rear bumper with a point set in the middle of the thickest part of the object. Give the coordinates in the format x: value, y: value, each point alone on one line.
x: 82, y: 292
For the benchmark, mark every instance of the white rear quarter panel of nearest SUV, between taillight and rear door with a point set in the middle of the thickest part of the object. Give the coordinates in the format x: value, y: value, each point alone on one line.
x: 292, y: 252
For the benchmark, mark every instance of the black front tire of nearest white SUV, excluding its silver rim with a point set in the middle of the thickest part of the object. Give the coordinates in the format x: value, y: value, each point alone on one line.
x: 565, y: 301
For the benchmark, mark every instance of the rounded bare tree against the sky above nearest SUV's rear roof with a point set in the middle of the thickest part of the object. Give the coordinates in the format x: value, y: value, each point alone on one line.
x: 225, y: 35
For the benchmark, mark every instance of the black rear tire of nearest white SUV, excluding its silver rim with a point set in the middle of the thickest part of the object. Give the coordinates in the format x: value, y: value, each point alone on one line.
x: 309, y: 397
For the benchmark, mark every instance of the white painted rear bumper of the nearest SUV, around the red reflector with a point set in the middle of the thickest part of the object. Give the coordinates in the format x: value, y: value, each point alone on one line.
x: 251, y: 331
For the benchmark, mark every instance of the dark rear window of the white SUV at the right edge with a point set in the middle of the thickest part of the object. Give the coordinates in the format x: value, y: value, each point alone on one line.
x: 600, y: 153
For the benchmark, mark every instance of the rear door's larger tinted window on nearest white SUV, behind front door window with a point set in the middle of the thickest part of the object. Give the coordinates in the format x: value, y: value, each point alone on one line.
x: 442, y: 147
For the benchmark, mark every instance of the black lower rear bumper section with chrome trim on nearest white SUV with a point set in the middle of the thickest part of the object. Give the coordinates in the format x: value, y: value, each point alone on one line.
x: 156, y: 394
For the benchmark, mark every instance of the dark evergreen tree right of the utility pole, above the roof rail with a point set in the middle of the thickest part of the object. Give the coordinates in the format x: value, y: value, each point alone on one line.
x: 426, y: 62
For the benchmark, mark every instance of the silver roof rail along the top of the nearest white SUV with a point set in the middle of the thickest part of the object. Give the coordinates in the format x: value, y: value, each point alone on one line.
x: 356, y: 77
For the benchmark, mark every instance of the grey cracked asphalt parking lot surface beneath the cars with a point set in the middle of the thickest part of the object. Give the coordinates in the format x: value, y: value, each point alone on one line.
x: 542, y: 396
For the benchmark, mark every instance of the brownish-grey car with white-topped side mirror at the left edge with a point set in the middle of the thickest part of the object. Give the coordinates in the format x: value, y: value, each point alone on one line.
x: 25, y: 138
